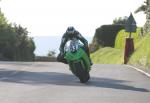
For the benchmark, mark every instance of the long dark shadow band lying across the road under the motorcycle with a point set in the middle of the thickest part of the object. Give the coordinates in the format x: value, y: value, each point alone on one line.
x: 55, y: 78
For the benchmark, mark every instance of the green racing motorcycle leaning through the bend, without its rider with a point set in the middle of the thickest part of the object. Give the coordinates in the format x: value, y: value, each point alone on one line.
x: 78, y: 60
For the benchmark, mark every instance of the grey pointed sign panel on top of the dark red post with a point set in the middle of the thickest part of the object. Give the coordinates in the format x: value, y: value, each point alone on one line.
x: 130, y: 25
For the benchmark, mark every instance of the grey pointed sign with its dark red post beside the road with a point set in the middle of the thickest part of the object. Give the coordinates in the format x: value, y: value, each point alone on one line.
x: 130, y: 27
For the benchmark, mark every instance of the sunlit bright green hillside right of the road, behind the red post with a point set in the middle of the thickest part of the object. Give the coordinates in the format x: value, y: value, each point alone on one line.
x: 140, y: 58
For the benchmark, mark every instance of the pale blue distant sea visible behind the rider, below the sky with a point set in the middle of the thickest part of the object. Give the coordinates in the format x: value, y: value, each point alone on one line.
x: 44, y: 44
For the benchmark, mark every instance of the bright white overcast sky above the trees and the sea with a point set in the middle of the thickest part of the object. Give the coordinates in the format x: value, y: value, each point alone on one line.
x: 52, y: 17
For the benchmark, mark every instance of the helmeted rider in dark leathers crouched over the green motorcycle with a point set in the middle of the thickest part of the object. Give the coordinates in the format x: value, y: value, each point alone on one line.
x: 69, y: 35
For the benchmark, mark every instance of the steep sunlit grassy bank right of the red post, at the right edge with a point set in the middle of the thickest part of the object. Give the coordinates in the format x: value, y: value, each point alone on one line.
x: 141, y: 56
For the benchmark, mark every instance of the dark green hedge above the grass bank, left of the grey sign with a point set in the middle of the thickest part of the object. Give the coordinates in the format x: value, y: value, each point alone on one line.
x: 106, y: 34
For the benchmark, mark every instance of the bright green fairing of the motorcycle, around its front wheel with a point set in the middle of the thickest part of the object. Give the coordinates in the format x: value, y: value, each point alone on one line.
x: 77, y: 56
